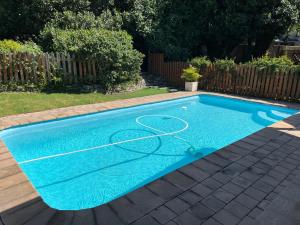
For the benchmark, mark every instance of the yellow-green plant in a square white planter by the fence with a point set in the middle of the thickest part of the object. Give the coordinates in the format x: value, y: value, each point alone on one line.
x: 191, y: 77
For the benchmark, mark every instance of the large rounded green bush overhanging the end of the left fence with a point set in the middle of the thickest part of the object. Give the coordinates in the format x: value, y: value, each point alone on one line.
x: 113, y: 52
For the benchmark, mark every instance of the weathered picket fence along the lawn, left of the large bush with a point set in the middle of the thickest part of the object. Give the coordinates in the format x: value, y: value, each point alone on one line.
x: 22, y: 68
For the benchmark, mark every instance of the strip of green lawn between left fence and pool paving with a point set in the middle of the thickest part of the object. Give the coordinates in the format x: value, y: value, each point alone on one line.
x: 16, y: 103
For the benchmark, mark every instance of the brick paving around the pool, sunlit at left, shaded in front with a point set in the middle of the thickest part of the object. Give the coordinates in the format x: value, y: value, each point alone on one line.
x: 253, y: 181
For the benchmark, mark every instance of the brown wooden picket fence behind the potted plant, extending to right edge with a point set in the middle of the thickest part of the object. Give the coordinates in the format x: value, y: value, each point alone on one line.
x: 245, y: 80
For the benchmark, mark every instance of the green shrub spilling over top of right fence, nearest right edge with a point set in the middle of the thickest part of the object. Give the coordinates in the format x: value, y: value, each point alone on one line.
x: 272, y: 63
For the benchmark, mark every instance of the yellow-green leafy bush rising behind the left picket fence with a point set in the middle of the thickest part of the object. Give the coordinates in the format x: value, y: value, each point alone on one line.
x: 7, y: 46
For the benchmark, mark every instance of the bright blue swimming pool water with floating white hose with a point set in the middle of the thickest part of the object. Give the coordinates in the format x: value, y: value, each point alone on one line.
x: 86, y: 161
